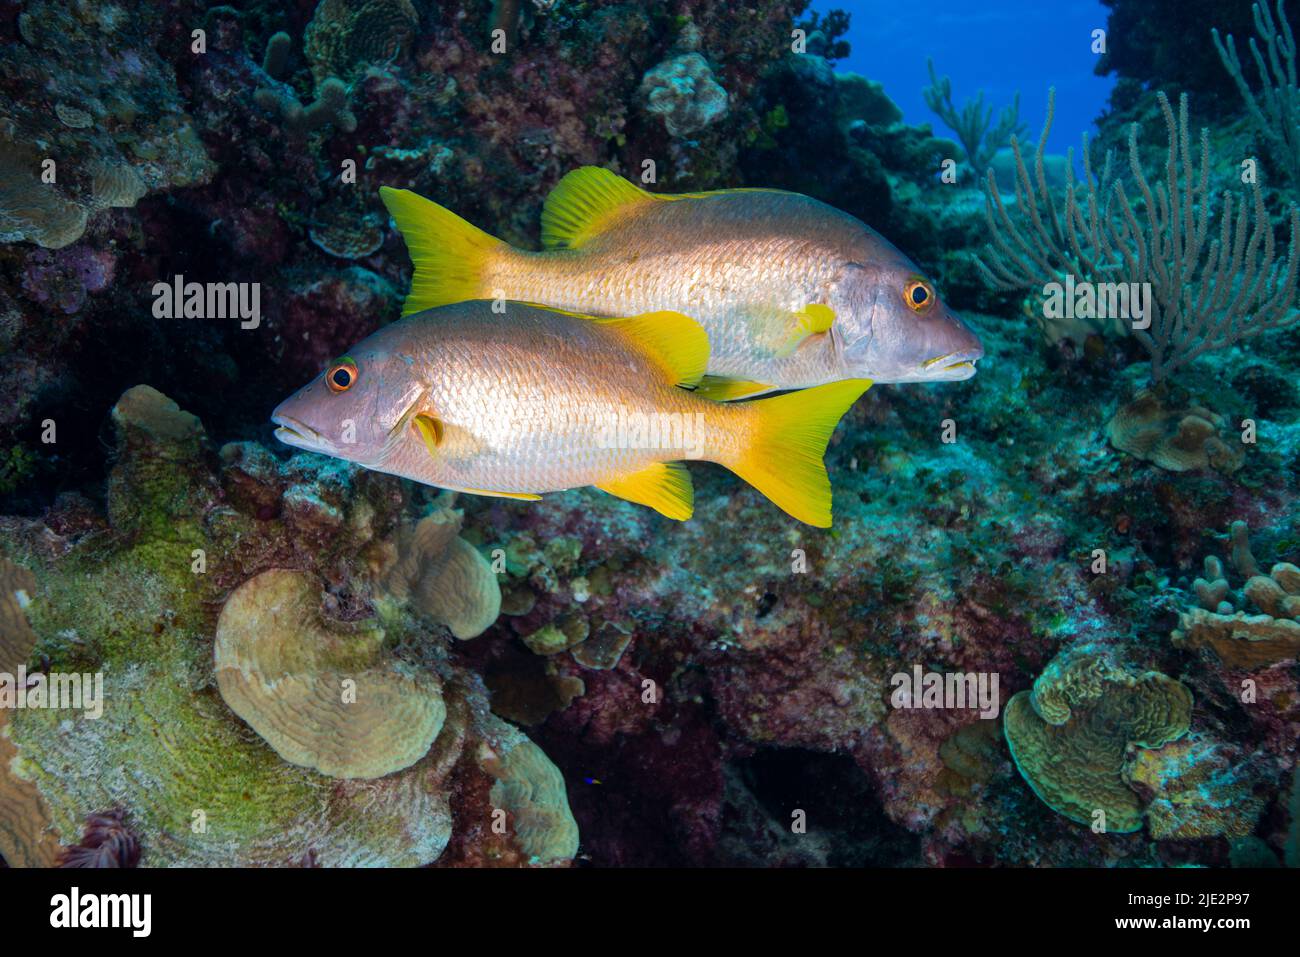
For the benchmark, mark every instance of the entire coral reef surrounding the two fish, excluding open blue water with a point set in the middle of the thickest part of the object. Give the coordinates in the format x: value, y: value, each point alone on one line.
x: 682, y: 691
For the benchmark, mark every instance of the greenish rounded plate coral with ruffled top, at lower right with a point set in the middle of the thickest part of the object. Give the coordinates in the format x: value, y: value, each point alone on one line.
x: 1071, y: 735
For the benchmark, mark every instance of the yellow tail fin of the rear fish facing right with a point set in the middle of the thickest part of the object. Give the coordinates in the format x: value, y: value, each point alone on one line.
x: 448, y: 253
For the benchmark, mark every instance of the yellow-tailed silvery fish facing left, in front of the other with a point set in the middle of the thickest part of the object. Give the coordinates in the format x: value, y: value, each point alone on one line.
x: 535, y: 400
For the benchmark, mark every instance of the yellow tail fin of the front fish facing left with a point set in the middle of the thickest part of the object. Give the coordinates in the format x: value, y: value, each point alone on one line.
x: 787, y: 443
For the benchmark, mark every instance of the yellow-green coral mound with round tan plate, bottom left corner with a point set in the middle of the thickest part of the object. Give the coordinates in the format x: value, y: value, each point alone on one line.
x: 136, y: 600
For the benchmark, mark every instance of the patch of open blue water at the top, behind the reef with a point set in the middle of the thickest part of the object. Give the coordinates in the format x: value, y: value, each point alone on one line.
x: 1024, y: 46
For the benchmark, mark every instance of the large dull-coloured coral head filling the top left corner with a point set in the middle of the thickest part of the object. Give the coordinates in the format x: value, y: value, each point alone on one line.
x: 60, y: 167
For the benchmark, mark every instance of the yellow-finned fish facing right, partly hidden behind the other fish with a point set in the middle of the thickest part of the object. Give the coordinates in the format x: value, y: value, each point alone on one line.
x: 791, y: 292
